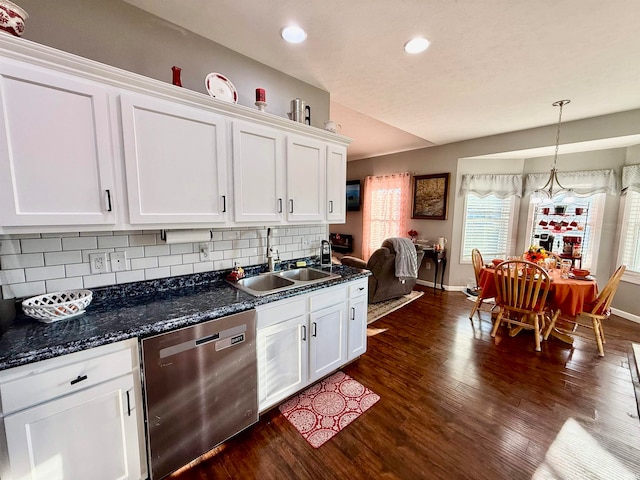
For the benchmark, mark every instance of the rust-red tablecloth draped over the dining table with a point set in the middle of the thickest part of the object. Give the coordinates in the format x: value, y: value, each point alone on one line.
x: 566, y: 294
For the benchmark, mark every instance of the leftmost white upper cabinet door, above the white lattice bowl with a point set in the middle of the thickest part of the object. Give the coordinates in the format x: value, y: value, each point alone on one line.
x: 56, y: 156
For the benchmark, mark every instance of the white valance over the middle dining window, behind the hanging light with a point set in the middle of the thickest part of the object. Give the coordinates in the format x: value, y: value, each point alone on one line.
x: 583, y: 183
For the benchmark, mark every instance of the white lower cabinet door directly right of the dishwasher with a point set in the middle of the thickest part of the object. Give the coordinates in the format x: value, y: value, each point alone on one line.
x: 282, y: 360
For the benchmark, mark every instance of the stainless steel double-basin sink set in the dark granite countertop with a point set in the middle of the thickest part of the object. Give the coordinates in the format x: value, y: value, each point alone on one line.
x: 272, y: 282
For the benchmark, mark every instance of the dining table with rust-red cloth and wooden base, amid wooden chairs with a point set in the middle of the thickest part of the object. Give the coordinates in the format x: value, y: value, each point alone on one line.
x: 567, y: 296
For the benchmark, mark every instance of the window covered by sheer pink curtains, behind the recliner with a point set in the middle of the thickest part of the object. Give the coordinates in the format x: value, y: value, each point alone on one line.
x: 385, y: 210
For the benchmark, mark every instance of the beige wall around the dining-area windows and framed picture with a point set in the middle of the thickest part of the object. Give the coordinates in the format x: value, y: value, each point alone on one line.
x: 447, y: 158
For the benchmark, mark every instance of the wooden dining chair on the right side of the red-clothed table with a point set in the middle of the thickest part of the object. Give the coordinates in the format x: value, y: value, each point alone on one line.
x: 595, y: 312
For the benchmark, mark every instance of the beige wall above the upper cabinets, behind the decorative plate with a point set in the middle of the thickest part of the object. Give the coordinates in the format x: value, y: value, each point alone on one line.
x: 121, y: 35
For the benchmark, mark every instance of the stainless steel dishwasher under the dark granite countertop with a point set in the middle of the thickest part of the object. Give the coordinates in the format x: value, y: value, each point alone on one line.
x: 200, y: 388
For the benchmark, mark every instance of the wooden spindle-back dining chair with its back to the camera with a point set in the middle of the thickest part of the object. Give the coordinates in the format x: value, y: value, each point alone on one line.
x: 522, y: 290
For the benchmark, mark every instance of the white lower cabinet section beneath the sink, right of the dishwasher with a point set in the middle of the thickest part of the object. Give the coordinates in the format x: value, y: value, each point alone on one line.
x: 305, y: 338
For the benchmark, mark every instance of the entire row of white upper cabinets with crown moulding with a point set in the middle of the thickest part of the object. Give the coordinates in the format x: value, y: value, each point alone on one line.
x: 88, y: 147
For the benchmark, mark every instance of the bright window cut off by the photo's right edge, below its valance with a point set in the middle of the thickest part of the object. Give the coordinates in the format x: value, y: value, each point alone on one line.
x: 630, y: 236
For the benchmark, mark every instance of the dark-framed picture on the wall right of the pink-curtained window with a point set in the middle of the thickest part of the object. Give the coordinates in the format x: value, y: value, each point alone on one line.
x: 430, y: 194
